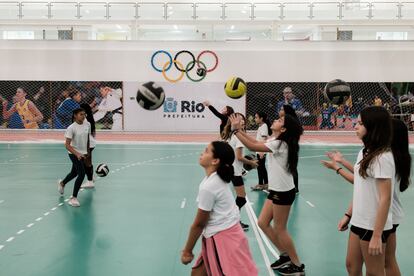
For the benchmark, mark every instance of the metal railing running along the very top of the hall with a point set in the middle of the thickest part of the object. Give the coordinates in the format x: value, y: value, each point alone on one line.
x: 106, y: 11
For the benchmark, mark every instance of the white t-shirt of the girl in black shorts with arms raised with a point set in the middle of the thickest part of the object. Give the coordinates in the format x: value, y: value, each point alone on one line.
x: 280, y: 180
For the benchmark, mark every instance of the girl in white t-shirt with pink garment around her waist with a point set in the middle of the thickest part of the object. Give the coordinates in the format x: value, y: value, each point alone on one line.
x: 225, y: 249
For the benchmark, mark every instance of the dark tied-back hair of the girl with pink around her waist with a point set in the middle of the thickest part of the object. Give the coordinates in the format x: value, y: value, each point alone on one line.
x: 225, y: 153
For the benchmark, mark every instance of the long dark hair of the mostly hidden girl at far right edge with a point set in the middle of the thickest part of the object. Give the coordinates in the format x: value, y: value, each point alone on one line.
x: 400, y: 150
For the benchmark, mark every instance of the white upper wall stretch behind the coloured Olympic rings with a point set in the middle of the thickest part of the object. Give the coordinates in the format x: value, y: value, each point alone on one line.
x: 253, y: 61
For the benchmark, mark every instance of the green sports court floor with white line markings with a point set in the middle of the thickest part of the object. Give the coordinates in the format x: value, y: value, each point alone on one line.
x: 136, y: 220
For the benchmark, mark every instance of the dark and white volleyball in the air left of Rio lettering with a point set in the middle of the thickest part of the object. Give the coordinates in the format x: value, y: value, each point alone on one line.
x: 150, y: 96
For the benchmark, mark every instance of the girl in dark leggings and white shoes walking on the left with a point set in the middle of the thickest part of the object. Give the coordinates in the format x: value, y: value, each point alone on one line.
x: 77, y: 144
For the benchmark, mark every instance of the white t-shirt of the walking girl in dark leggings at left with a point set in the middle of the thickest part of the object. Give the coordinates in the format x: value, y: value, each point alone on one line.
x: 79, y: 135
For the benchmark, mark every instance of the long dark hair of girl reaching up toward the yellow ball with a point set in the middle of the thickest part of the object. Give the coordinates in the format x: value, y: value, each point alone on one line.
x: 291, y: 137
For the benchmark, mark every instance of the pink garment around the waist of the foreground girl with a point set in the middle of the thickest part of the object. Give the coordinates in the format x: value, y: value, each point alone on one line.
x: 227, y: 253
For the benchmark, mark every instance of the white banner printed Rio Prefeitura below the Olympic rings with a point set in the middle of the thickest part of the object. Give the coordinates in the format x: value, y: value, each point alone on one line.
x: 183, y: 109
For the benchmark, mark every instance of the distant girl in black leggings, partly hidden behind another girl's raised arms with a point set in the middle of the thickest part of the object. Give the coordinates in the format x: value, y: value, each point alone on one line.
x: 262, y: 134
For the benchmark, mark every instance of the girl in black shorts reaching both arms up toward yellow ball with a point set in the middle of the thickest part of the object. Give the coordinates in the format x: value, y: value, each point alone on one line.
x: 283, y: 149
